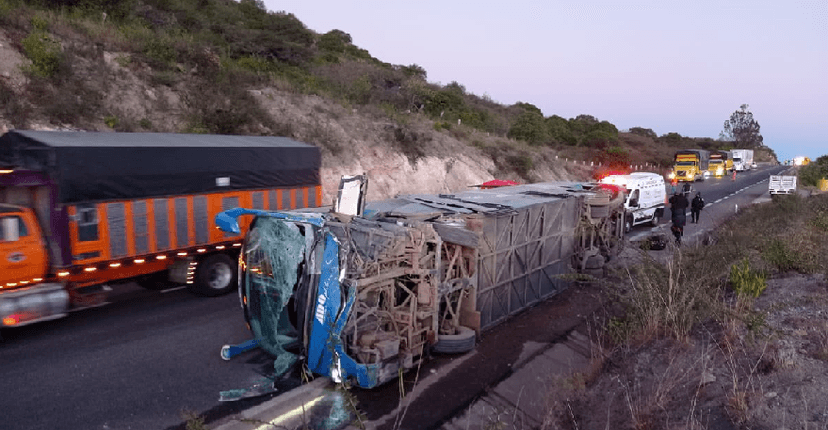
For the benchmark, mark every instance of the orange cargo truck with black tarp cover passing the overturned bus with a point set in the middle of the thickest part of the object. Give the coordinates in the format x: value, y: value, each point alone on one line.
x: 81, y: 212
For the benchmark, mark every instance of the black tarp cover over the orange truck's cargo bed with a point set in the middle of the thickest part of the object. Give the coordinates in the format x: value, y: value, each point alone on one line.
x: 93, y: 166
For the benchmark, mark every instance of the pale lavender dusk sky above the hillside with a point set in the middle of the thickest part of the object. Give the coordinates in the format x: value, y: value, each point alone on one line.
x: 670, y: 66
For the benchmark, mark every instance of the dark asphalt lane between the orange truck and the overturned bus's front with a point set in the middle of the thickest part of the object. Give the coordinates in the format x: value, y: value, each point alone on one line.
x: 140, y: 362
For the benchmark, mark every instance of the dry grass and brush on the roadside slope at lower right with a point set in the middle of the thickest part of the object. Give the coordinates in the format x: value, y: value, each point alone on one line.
x: 685, y: 326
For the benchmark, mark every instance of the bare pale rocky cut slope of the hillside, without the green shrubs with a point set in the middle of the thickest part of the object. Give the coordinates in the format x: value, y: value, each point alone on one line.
x: 399, y: 155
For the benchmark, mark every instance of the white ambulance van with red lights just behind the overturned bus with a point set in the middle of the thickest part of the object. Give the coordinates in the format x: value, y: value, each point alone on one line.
x: 646, y: 197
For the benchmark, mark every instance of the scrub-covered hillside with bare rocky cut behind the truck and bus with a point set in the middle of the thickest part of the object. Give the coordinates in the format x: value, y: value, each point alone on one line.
x: 223, y: 67
